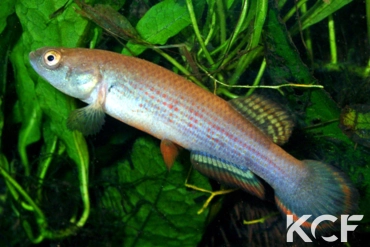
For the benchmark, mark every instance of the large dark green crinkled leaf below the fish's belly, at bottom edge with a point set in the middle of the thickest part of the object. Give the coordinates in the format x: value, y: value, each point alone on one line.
x: 153, y: 205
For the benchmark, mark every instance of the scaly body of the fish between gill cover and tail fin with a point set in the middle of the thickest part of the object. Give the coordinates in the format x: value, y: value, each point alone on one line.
x: 239, y: 142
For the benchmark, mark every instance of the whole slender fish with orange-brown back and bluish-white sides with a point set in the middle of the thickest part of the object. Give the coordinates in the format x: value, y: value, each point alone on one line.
x: 234, y: 142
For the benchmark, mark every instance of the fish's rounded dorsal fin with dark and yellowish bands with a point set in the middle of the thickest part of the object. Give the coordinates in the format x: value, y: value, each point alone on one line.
x: 266, y: 115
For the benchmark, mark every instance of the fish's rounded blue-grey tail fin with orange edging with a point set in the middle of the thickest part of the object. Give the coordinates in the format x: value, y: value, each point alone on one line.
x: 326, y: 190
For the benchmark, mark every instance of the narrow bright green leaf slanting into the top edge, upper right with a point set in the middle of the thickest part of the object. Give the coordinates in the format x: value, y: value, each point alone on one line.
x: 318, y: 12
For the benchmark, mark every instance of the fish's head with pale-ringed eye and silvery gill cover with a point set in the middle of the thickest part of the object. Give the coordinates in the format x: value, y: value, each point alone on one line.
x: 69, y: 70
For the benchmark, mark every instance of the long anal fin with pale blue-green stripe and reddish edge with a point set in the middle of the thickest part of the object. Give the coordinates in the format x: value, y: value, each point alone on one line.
x: 226, y: 172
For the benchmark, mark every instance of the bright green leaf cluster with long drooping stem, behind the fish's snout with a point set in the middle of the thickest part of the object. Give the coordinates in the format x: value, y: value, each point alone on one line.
x: 37, y: 97
